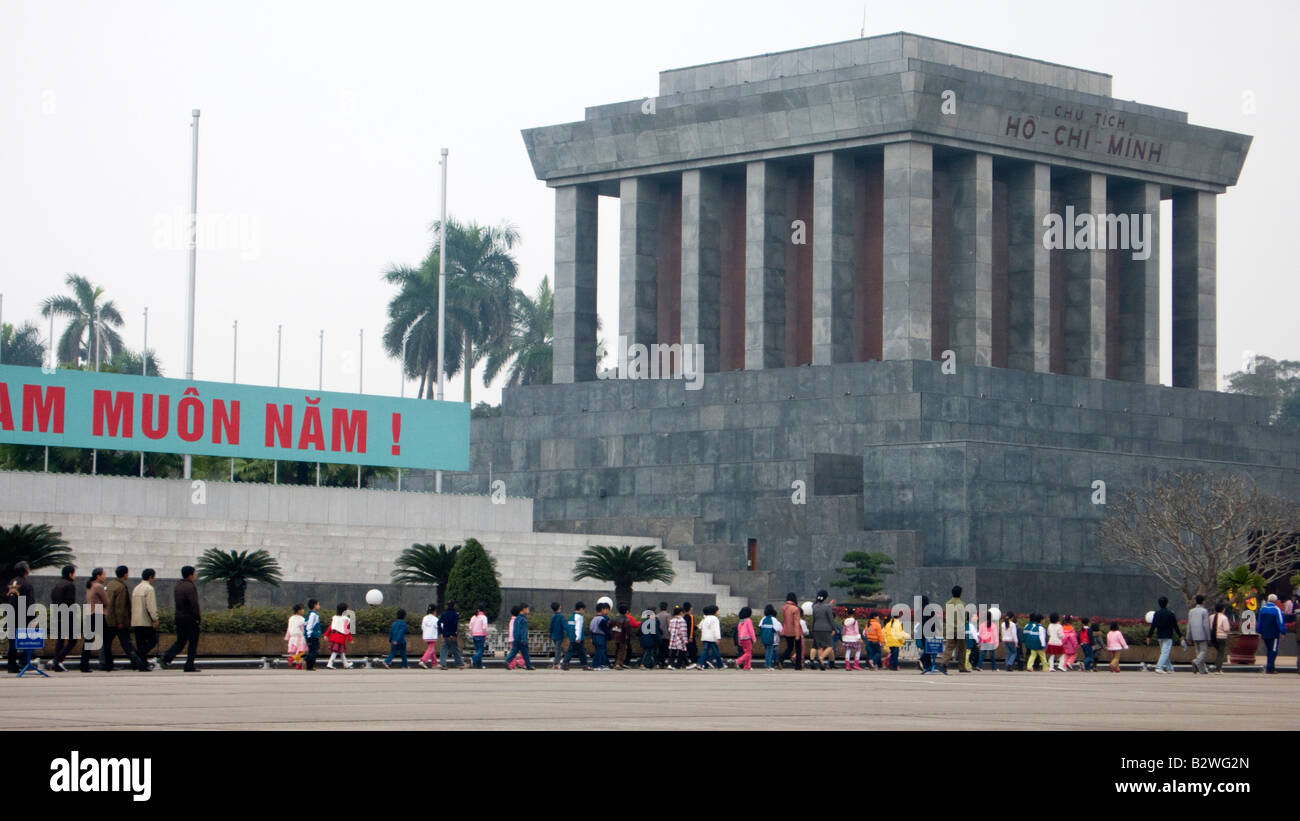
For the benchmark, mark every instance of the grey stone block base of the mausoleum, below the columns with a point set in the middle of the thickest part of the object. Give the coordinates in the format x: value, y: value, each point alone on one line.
x: 983, y: 477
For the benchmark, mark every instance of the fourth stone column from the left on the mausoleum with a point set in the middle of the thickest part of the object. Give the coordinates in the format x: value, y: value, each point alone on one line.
x: 766, y: 234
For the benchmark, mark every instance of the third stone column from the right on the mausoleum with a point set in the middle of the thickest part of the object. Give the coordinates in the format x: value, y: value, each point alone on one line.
x: 1086, y: 284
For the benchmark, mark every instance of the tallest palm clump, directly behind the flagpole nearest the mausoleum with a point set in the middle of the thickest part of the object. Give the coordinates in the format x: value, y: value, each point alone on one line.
x: 482, y: 272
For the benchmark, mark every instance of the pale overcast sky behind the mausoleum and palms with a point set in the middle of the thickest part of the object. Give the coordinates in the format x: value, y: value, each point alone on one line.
x: 322, y: 125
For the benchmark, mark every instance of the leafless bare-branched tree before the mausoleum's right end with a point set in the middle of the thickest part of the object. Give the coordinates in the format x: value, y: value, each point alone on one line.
x: 1188, y: 529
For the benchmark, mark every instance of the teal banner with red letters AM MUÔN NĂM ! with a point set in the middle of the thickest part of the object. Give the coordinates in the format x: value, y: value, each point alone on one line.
x: 119, y: 412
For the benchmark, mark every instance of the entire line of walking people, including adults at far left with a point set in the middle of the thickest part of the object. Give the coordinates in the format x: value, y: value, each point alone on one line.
x: 792, y: 636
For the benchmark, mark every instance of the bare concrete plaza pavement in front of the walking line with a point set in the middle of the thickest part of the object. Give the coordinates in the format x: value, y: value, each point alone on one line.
x: 493, y: 700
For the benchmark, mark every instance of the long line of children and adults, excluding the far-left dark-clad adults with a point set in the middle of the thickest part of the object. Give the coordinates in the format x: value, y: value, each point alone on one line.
x: 801, y: 637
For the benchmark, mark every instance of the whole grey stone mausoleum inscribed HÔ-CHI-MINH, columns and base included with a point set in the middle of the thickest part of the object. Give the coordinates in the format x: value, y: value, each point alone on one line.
x: 924, y: 172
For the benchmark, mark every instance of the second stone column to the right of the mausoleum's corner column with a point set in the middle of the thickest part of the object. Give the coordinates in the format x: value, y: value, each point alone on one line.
x: 1029, y: 272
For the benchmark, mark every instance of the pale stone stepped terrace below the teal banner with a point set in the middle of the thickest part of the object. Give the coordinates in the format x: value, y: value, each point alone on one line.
x: 317, y: 535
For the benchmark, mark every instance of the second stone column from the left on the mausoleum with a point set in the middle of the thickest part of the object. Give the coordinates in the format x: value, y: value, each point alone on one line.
x: 639, y: 260
